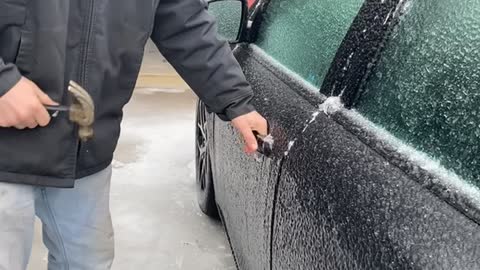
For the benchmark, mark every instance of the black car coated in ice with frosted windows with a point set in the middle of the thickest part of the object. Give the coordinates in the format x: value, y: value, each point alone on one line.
x: 374, y: 112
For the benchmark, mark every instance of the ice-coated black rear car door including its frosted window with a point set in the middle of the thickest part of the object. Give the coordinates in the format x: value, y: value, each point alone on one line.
x: 386, y: 177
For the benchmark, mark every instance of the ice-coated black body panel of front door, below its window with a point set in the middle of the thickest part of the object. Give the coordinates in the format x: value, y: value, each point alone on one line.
x: 245, y: 184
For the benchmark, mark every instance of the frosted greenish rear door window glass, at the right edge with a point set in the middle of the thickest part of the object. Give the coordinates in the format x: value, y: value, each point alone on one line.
x: 426, y: 88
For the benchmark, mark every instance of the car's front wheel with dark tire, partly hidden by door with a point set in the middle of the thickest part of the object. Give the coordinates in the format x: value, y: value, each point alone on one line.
x: 204, y: 176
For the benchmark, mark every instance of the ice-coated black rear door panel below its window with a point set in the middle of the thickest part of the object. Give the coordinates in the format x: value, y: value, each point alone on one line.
x: 342, y: 205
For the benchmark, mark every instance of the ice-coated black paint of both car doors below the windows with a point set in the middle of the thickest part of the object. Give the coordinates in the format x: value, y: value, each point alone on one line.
x: 336, y: 200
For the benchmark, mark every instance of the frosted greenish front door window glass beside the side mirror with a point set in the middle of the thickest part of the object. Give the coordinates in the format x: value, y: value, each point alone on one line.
x: 304, y: 35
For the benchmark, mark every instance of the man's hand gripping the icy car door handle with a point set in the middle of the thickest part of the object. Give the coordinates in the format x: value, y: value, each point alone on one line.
x: 248, y: 123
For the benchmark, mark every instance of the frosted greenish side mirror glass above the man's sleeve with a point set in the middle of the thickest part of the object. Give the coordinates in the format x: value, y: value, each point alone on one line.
x: 229, y: 18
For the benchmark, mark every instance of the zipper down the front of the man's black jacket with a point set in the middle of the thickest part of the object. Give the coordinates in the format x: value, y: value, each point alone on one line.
x: 83, y: 73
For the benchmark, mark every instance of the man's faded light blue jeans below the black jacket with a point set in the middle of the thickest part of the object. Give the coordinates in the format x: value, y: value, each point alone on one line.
x: 77, y: 227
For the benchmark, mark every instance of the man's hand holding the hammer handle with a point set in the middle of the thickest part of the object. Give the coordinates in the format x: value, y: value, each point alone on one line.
x: 23, y: 106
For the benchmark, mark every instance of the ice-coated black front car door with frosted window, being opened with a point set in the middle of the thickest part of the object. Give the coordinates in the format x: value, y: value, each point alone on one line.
x: 245, y: 186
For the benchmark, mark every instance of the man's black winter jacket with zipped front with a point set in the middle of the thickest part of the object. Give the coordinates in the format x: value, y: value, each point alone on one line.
x: 99, y: 44
